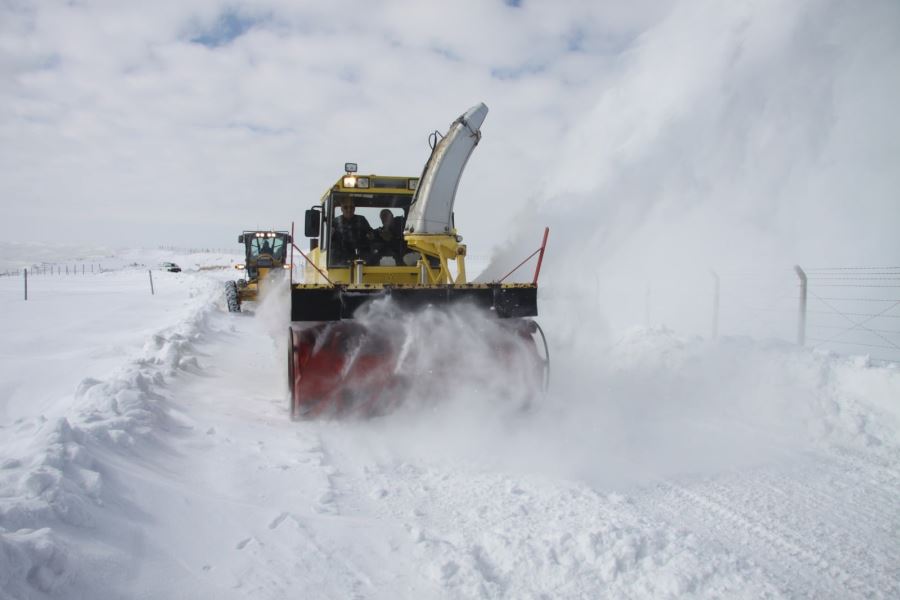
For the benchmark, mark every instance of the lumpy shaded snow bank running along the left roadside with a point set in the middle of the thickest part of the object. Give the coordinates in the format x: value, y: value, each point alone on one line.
x: 54, y: 474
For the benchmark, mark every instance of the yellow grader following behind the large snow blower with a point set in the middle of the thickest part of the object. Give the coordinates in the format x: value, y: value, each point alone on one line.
x: 264, y: 263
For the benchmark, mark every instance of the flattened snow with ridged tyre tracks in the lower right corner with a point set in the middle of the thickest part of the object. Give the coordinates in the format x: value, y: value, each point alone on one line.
x: 799, y: 542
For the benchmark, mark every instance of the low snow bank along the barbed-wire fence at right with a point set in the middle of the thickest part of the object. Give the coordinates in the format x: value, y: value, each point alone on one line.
x: 772, y: 385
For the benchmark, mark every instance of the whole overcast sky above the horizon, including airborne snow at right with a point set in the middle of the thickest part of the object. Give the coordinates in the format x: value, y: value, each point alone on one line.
x: 642, y: 131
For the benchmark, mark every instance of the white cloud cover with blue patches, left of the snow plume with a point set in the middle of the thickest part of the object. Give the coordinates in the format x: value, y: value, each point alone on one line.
x: 210, y: 113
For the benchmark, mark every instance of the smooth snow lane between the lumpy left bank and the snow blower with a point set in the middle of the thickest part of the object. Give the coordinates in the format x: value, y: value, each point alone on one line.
x: 273, y: 481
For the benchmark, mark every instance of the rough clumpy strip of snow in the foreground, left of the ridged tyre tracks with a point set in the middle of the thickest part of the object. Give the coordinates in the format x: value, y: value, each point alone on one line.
x: 480, y: 534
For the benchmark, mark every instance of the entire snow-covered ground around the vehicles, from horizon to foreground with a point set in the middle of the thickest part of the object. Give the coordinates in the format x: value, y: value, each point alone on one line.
x: 146, y: 452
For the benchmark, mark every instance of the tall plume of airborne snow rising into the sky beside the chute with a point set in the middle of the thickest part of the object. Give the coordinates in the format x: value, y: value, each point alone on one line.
x: 741, y: 137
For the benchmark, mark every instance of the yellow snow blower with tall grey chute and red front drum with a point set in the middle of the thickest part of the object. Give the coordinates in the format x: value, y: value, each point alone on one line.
x: 414, y: 259
